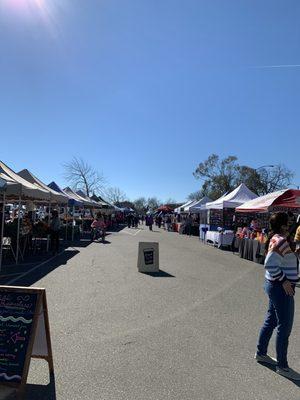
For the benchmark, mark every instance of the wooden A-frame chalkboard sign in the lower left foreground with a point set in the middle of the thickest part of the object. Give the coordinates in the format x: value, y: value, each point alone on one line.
x: 24, y: 334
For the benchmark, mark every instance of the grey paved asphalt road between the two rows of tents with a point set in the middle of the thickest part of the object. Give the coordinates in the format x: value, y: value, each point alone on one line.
x: 189, y: 333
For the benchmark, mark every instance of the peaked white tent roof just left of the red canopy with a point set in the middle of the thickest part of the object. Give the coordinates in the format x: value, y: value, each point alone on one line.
x: 238, y: 196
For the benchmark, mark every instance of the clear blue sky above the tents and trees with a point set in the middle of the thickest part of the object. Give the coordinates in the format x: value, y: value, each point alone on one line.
x: 144, y: 90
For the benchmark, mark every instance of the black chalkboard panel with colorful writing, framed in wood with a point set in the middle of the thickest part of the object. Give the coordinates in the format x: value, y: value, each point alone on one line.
x: 17, y: 314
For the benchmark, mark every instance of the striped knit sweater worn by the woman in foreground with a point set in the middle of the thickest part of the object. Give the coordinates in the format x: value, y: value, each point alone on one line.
x: 281, y: 263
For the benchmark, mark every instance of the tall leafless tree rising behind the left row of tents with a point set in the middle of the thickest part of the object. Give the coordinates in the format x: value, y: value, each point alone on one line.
x: 82, y: 176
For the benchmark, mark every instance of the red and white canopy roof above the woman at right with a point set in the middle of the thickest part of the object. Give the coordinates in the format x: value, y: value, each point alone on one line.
x: 282, y: 200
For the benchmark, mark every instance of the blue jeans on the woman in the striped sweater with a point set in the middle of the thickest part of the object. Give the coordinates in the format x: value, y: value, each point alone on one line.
x: 280, y: 314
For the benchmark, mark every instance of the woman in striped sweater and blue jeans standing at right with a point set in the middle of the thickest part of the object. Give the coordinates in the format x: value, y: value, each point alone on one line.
x: 281, y: 275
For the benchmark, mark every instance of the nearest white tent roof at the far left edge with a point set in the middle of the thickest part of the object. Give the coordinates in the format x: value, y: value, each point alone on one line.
x: 16, y: 186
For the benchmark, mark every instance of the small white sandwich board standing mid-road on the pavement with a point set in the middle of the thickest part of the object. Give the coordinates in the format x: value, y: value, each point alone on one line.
x: 148, y: 257
